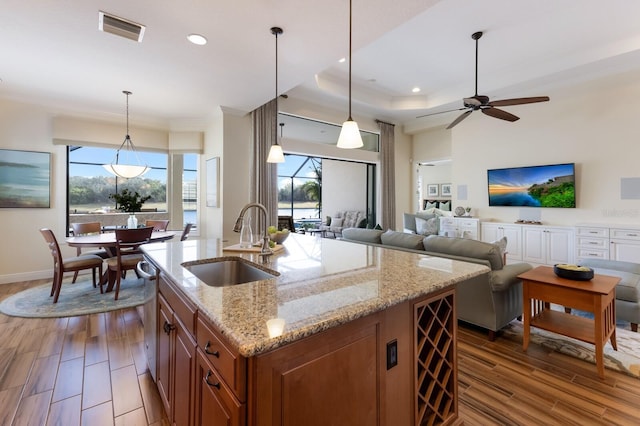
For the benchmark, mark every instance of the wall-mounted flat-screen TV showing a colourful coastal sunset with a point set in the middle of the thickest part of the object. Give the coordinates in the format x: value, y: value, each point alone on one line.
x: 550, y: 185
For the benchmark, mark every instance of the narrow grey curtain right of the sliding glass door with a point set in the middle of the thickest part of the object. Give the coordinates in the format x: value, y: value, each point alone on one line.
x: 388, y: 172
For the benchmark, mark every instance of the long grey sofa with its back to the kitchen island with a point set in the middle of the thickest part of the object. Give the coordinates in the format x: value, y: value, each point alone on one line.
x: 490, y: 300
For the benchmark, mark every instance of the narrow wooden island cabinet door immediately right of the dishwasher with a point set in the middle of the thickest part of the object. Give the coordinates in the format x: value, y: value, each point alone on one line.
x: 163, y: 381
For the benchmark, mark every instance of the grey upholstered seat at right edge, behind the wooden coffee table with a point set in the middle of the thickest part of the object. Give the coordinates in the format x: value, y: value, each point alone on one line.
x: 627, y: 290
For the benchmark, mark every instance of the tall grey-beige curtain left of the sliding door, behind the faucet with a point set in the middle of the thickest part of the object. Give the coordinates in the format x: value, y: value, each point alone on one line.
x: 264, y: 179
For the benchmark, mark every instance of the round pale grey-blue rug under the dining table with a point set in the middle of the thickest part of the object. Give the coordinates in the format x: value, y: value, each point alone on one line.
x: 79, y: 298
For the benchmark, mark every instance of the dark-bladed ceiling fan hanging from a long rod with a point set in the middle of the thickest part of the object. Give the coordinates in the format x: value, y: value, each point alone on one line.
x: 482, y: 102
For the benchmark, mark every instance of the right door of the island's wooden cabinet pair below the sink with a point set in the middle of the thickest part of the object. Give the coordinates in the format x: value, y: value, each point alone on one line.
x: 183, y: 370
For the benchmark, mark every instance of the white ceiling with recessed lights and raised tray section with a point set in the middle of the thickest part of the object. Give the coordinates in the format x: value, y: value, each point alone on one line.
x: 53, y: 53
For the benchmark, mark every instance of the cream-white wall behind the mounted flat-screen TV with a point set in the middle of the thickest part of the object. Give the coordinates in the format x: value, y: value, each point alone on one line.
x: 592, y: 124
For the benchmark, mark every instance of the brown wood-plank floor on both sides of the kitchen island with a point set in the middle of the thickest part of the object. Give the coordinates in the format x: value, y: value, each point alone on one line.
x: 91, y: 370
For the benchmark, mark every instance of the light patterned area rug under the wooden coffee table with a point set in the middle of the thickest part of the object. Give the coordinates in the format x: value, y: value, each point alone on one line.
x: 625, y: 360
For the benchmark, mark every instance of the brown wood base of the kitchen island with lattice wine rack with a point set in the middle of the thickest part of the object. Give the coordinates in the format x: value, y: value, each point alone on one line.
x: 393, y: 367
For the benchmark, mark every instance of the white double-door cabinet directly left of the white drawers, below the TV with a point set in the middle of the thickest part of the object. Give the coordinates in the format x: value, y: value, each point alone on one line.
x: 547, y: 245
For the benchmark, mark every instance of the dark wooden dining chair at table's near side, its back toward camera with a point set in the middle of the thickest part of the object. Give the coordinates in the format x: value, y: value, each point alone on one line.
x: 127, y: 254
